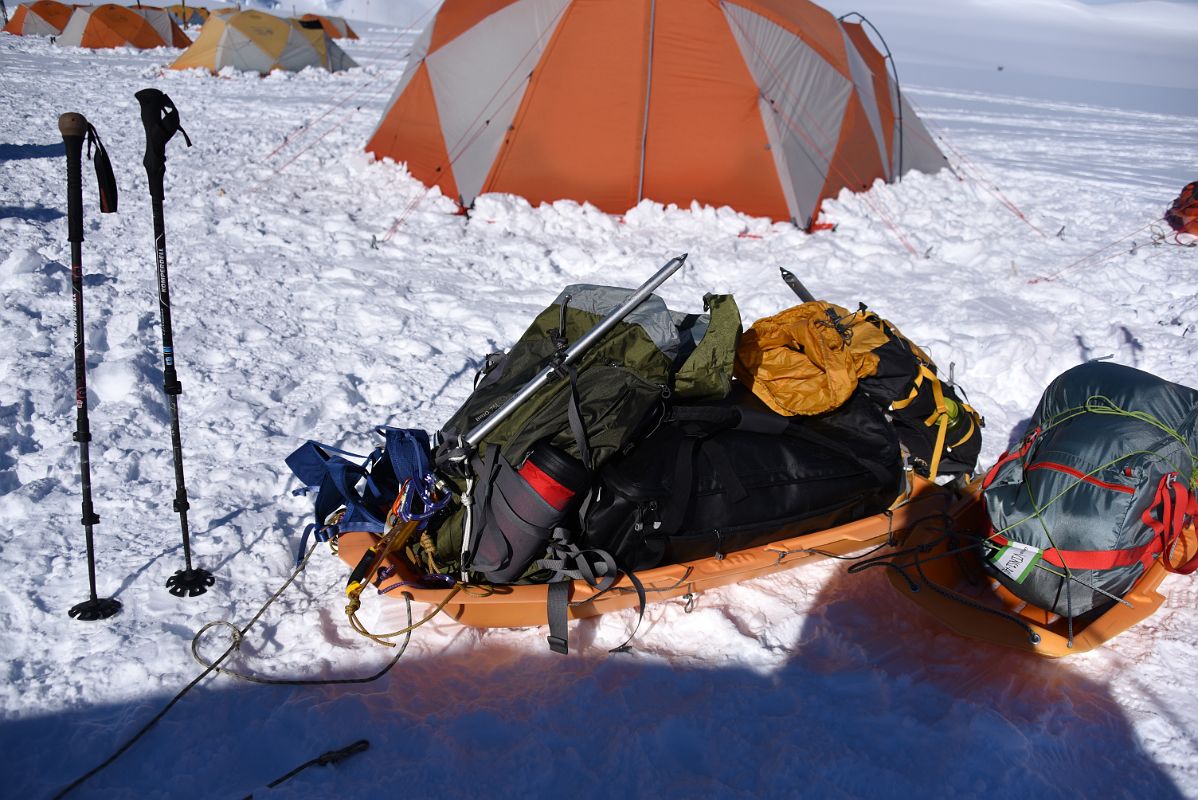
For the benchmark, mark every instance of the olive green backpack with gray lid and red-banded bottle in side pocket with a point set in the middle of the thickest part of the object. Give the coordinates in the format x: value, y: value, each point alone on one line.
x: 590, y: 413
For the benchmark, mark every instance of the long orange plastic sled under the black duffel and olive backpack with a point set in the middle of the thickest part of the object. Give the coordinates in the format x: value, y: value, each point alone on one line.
x: 525, y: 605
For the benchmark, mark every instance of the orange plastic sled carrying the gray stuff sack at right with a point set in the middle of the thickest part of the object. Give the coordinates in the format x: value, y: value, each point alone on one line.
x: 954, y: 589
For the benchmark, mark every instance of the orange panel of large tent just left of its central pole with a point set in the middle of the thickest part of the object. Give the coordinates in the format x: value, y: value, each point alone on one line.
x: 578, y: 134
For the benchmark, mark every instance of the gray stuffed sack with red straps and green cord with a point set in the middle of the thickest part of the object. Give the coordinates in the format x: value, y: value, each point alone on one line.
x: 1100, y: 488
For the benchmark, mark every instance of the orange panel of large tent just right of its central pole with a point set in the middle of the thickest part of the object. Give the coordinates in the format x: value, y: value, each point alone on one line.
x: 705, y: 112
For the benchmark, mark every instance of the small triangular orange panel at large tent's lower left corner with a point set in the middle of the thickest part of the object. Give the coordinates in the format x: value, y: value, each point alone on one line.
x: 412, y: 128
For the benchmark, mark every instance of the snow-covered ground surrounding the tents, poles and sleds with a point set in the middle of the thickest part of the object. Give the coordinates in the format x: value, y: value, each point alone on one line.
x: 318, y: 294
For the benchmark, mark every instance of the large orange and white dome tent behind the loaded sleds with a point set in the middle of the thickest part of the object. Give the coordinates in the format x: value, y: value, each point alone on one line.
x: 765, y: 106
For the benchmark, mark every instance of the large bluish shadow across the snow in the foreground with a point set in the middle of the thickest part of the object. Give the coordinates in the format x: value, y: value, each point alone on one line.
x: 875, y: 701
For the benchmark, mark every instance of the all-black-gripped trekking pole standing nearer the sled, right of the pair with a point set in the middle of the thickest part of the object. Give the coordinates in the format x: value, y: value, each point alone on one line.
x: 161, y: 120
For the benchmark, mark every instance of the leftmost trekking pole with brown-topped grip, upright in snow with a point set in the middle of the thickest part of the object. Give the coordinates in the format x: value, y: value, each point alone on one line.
x: 75, y: 128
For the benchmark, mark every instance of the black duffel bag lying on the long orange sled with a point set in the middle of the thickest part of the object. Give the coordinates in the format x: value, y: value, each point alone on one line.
x: 716, y: 480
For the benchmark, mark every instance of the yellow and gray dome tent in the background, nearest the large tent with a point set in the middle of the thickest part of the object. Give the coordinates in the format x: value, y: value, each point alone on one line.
x: 255, y: 41
